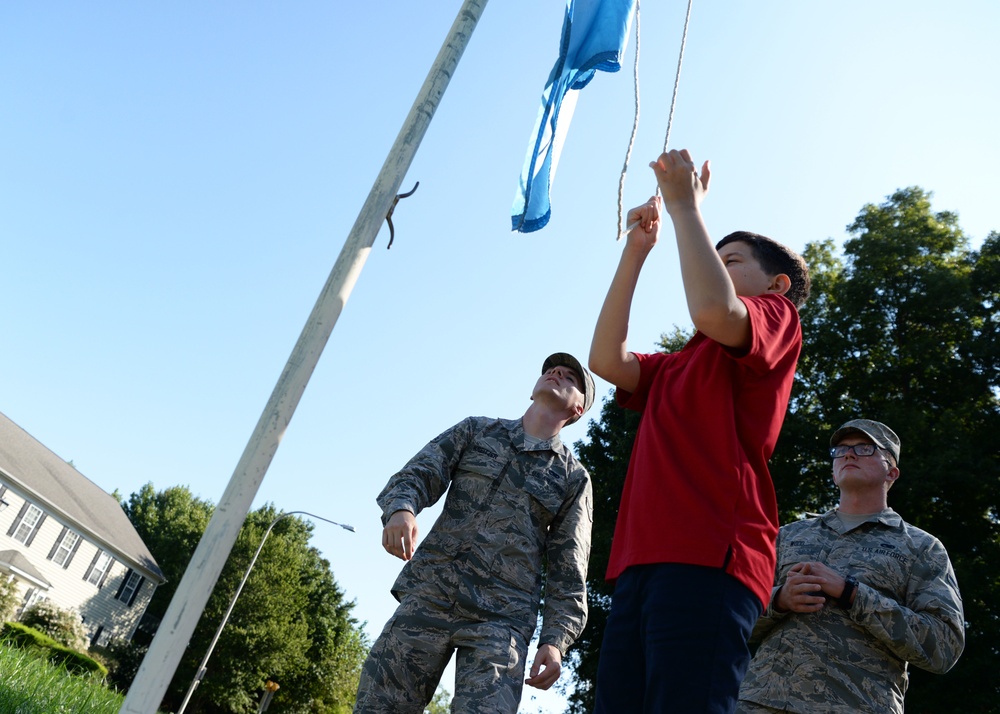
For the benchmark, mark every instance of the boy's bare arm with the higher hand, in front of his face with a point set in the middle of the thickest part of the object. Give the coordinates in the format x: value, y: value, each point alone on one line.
x: 715, y: 309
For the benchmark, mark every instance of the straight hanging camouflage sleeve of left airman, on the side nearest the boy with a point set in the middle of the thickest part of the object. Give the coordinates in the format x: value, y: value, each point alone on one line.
x: 568, y: 553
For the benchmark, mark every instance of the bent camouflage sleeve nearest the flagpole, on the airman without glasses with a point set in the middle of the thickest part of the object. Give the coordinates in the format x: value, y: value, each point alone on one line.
x: 425, y: 477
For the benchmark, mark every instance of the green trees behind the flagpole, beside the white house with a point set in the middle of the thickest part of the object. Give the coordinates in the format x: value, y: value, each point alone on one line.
x: 291, y: 623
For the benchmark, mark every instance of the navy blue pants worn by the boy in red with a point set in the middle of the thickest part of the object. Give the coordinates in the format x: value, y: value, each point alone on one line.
x: 676, y: 641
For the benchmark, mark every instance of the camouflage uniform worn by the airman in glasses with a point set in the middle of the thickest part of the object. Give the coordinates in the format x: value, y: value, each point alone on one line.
x: 907, y: 610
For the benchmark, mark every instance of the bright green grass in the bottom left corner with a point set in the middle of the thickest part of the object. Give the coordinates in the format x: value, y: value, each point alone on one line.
x: 30, y: 685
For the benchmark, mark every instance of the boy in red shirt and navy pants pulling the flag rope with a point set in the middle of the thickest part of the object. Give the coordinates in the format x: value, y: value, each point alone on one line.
x: 693, y: 552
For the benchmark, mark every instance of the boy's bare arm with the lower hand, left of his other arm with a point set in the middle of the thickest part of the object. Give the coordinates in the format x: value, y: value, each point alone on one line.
x: 609, y: 355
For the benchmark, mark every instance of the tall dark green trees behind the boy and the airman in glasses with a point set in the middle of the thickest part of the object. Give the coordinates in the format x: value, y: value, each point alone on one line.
x: 902, y: 328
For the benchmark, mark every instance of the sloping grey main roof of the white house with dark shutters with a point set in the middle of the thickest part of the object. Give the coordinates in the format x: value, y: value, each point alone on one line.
x: 50, y: 482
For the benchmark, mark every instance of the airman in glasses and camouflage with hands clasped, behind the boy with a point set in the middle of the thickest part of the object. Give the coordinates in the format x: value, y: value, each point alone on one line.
x: 859, y: 595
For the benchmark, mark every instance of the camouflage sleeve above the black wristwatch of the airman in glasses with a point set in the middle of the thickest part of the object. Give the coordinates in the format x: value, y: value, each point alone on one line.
x: 928, y: 631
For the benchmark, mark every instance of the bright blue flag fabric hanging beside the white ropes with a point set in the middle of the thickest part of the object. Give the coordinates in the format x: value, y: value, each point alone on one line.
x: 593, y: 38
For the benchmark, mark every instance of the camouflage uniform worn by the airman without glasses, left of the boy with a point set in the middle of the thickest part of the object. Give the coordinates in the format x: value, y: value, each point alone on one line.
x: 475, y: 581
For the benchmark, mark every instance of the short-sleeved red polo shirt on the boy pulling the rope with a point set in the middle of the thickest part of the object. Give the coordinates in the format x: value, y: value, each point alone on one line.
x: 697, y: 486
